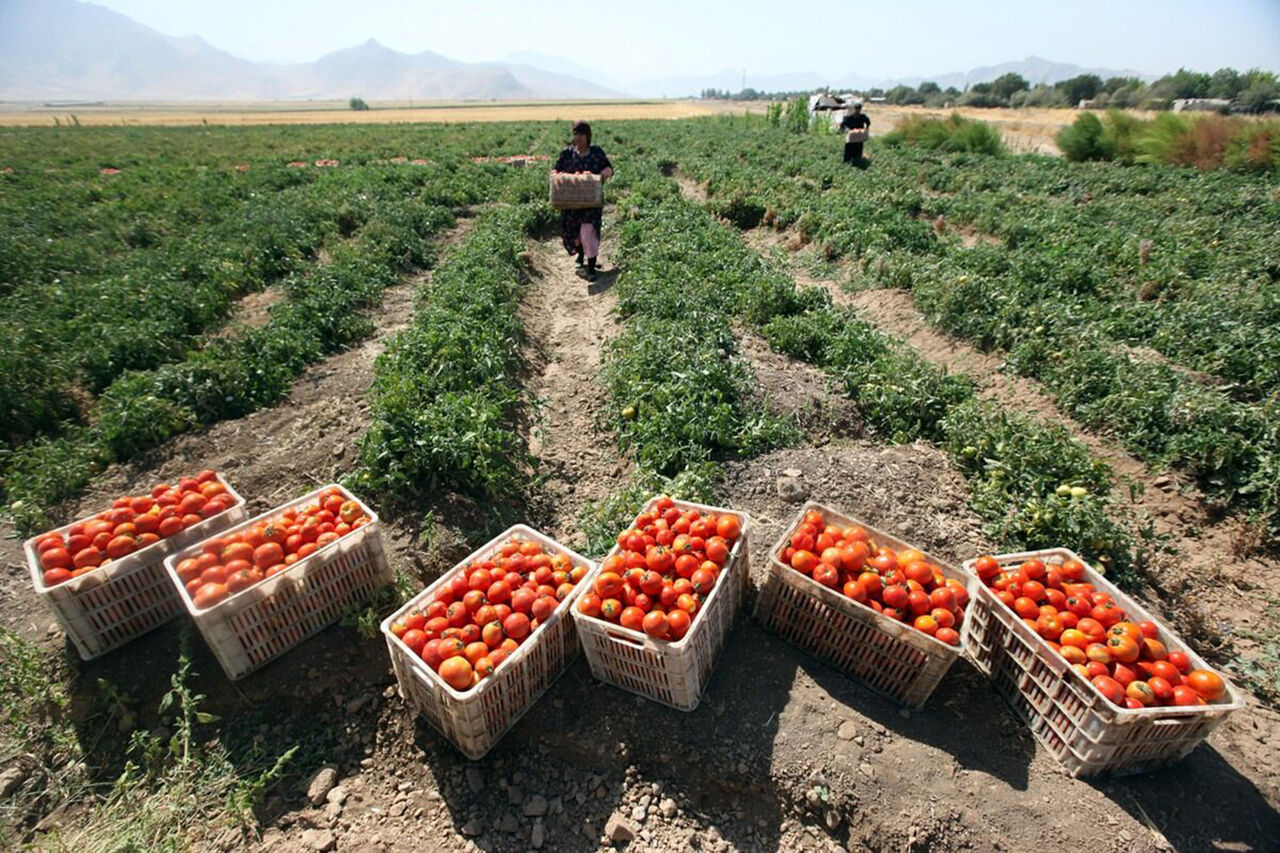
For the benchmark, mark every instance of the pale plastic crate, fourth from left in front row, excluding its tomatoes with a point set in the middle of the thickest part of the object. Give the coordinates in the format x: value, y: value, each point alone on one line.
x: 671, y: 673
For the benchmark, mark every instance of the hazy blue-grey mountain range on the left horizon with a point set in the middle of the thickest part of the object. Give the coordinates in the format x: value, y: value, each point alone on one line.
x: 65, y: 49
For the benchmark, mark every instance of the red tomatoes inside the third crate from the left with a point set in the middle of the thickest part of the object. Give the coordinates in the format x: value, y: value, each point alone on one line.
x: 477, y: 621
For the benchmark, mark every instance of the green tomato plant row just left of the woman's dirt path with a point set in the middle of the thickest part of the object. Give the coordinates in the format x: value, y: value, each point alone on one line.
x: 445, y: 398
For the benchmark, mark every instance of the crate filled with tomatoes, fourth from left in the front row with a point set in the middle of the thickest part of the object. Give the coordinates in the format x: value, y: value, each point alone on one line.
x: 661, y: 605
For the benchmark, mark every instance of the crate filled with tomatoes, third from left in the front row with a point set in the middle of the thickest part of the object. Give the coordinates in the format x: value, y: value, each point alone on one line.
x: 474, y: 651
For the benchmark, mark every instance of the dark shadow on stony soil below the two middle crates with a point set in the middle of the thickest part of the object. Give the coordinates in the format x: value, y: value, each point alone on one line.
x: 715, y: 758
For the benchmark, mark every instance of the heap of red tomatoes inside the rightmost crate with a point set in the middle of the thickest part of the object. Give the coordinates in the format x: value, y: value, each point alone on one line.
x: 1127, y: 662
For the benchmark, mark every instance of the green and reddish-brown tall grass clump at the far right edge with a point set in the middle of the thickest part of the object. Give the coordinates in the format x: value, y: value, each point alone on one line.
x: 1205, y: 143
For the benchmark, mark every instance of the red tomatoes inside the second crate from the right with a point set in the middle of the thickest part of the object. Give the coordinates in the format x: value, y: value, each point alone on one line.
x: 900, y: 585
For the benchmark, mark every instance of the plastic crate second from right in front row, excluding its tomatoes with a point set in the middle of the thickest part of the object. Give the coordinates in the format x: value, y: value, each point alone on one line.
x: 888, y: 656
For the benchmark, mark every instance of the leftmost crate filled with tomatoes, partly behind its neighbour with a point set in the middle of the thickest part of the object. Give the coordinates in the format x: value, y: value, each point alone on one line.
x: 104, y: 577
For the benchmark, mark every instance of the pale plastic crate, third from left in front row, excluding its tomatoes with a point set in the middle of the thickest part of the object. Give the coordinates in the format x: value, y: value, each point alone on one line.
x: 477, y: 719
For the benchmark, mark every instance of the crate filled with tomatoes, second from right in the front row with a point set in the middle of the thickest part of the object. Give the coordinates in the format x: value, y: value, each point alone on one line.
x: 875, y: 608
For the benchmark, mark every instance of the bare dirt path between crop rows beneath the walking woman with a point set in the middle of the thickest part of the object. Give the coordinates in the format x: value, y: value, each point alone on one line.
x: 568, y: 323
